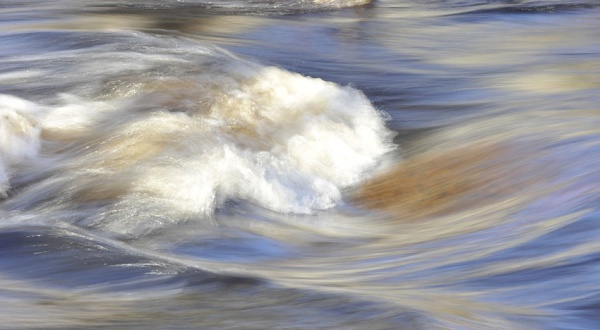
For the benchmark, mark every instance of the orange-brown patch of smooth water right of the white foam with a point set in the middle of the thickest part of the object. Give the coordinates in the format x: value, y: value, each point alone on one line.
x: 455, y: 180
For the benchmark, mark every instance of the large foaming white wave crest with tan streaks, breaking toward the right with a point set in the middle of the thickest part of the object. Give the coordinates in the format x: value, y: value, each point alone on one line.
x: 176, y: 136
